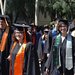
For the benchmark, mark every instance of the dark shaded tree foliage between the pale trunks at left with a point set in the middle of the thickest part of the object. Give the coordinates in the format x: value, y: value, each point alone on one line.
x: 21, y: 8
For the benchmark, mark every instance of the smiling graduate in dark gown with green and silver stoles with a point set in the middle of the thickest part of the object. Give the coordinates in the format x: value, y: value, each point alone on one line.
x: 62, y: 59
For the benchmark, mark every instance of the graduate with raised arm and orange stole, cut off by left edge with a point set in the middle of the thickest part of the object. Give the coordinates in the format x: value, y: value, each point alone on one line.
x: 5, y: 41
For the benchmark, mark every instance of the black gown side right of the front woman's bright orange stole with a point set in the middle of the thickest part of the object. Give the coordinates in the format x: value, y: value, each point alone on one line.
x: 31, y: 66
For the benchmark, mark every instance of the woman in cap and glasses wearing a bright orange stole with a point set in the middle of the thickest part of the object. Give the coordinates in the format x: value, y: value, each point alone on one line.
x: 22, y: 57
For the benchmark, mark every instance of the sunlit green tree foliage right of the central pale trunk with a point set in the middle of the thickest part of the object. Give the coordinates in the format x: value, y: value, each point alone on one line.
x: 58, y: 8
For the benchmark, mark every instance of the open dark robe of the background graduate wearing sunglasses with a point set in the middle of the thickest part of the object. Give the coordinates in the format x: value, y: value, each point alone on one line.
x: 42, y: 53
